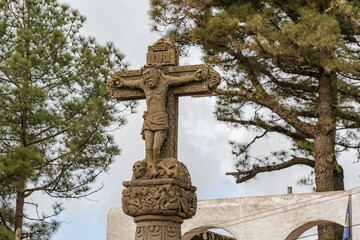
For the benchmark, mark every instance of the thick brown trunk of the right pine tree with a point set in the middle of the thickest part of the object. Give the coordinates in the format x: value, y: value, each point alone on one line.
x: 329, y: 175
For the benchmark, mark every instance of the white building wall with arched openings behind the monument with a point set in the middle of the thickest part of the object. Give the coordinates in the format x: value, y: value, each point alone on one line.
x: 265, y: 217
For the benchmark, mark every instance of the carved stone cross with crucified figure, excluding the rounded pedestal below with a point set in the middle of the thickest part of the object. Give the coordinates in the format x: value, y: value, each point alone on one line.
x: 161, y: 82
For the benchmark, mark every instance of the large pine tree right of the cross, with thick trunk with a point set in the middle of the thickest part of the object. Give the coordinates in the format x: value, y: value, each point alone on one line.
x: 291, y: 68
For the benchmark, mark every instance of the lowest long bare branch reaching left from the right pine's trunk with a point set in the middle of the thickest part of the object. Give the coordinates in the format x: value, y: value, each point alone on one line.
x: 246, y: 175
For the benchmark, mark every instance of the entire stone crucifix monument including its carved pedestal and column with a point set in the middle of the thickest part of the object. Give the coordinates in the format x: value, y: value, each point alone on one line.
x: 160, y: 195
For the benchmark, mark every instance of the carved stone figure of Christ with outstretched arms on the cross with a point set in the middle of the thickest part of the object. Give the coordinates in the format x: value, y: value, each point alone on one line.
x: 155, y: 85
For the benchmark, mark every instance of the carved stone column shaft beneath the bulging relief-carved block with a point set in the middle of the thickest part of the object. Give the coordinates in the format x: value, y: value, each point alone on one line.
x: 152, y: 227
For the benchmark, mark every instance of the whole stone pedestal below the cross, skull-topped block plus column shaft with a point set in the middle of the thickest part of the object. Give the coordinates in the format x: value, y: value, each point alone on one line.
x: 159, y: 204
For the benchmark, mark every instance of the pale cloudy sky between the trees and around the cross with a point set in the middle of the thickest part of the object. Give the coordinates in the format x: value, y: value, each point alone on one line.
x: 203, y: 142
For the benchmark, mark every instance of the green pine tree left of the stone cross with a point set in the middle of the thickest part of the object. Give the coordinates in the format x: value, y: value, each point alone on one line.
x: 55, y: 112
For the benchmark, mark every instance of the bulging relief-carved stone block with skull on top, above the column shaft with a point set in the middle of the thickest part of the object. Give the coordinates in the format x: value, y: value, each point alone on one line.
x: 168, y: 193
